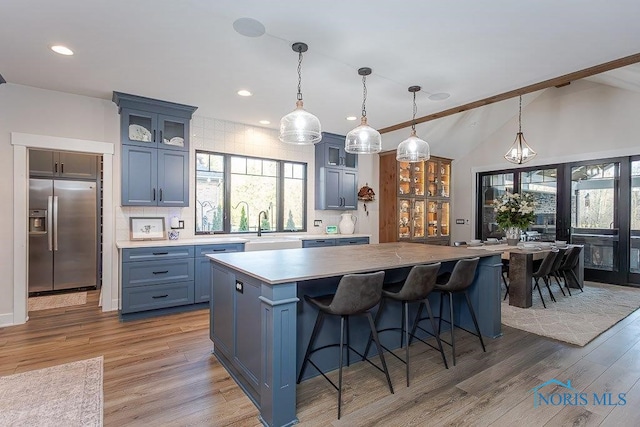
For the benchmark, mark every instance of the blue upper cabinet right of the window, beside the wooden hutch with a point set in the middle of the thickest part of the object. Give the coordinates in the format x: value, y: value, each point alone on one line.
x: 336, y: 175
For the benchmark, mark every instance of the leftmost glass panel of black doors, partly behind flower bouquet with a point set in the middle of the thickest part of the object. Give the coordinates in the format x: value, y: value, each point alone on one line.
x: 493, y: 187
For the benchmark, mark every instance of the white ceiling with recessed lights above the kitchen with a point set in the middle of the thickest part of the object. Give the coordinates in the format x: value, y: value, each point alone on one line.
x: 187, y: 51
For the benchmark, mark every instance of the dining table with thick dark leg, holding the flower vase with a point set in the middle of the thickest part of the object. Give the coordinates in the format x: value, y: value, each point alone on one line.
x: 521, y: 269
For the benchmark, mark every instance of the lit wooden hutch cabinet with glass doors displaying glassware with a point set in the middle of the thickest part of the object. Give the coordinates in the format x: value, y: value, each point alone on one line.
x: 415, y: 200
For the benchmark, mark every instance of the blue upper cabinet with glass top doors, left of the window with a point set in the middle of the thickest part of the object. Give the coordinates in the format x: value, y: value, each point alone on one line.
x: 155, y: 151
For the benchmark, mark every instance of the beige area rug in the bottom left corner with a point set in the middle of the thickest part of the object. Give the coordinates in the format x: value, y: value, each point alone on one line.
x: 63, y: 395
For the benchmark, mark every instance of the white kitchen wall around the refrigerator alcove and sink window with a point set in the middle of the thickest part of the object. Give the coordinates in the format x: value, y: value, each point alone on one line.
x: 30, y: 110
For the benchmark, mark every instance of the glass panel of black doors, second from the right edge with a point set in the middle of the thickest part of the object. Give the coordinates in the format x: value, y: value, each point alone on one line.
x: 594, y: 222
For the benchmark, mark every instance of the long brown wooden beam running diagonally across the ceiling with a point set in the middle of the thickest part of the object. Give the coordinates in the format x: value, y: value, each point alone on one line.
x: 556, y: 81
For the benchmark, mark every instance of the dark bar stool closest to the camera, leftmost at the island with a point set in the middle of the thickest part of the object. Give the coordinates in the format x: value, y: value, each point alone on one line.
x: 356, y: 295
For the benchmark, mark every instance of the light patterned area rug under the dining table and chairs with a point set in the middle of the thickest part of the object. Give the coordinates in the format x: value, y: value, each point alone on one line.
x: 576, y: 319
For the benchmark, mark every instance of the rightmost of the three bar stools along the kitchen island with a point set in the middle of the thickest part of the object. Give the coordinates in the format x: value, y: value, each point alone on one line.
x: 461, y: 278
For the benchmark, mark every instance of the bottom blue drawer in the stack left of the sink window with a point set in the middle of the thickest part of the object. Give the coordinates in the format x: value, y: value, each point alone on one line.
x: 150, y: 297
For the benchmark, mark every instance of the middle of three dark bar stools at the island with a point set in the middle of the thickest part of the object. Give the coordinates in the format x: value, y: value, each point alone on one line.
x: 417, y: 287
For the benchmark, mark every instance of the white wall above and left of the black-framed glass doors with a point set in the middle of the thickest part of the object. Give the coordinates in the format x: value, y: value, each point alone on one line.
x: 577, y: 122
